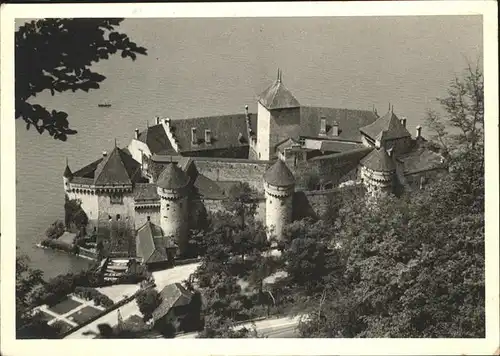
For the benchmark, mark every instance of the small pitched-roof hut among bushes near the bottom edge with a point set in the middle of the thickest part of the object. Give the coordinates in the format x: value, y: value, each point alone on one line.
x: 174, y: 306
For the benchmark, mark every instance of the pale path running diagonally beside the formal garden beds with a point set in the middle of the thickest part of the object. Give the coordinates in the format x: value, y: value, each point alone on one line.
x: 162, y: 278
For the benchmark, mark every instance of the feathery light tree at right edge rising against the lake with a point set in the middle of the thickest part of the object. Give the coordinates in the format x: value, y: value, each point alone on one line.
x: 464, y: 108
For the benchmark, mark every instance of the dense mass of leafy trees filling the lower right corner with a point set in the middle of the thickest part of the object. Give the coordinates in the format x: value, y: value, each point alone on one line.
x: 414, y: 267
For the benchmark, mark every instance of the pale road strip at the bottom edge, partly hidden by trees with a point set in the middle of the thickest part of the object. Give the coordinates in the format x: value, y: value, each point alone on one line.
x: 272, y: 328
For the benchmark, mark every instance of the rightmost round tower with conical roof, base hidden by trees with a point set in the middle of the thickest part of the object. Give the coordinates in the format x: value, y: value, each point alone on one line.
x: 377, y: 172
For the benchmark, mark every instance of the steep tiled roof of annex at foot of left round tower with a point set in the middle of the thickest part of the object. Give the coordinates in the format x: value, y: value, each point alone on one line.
x: 151, y: 245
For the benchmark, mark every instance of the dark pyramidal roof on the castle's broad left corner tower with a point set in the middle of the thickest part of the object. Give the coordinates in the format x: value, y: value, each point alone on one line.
x: 117, y: 167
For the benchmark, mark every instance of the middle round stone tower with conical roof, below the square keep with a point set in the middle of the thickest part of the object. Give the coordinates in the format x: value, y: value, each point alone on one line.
x: 279, y: 185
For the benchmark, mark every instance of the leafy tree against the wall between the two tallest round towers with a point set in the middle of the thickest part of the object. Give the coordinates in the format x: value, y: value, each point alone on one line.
x: 241, y: 202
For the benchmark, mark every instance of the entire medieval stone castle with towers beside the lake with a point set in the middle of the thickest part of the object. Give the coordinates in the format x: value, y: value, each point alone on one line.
x: 295, y: 157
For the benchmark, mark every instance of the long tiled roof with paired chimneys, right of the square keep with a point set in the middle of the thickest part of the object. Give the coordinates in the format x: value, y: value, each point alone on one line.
x: 349, y: 122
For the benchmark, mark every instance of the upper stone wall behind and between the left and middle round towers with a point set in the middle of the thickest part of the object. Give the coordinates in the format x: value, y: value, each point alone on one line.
x: 249, y: 172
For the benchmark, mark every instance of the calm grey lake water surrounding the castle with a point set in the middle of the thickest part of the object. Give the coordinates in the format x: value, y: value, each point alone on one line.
x: 215, y: 66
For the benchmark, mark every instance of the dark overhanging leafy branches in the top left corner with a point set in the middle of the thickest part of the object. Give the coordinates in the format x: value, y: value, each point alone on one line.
x: 56, y: 54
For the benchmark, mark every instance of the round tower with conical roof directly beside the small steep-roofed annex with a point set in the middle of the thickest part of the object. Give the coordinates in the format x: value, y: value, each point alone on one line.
x: 172, y: 187
